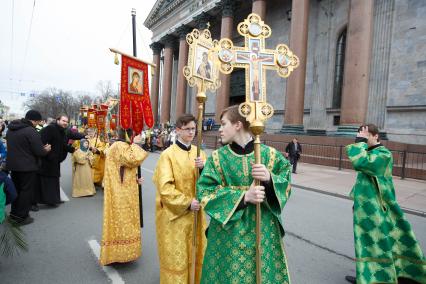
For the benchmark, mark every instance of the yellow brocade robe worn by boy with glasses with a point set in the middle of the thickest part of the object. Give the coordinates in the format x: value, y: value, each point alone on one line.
x: 174, y: 178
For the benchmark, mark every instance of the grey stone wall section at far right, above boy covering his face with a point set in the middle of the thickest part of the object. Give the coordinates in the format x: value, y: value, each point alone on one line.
x: 406, y: 101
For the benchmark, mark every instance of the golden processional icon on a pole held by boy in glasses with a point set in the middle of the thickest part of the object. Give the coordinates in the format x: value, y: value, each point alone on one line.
x: 201, y: 73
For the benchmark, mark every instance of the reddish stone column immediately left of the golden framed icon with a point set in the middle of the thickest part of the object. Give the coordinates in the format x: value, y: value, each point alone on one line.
x: 181, y: 81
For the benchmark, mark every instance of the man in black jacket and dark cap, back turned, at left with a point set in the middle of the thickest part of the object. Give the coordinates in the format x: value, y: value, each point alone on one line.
x: 24, y: 147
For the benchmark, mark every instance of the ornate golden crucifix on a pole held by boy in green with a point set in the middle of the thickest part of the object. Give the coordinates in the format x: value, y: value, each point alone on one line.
x: 256, y: 60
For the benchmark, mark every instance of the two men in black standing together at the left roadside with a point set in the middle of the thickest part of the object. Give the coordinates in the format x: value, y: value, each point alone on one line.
x: 35, y: 151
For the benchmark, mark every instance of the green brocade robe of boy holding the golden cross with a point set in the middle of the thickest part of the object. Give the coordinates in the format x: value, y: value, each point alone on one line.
x: 230, y: 254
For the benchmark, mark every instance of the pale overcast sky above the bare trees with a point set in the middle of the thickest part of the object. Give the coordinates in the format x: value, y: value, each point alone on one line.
x: 67, y: 47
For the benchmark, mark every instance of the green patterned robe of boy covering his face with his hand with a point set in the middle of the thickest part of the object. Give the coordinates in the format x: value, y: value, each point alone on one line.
x: 385, y: 245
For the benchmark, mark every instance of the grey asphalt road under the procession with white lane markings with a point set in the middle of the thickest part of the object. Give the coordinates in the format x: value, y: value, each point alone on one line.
x: 63, y: 241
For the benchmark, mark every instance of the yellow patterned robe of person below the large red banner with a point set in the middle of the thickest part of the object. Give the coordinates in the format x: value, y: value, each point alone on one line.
x: 121, y: 237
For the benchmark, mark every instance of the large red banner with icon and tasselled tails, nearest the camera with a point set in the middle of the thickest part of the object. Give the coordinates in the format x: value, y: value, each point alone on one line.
x: 134, y: 95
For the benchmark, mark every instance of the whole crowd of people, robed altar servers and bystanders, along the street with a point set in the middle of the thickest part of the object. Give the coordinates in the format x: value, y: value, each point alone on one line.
x: 190, y: 185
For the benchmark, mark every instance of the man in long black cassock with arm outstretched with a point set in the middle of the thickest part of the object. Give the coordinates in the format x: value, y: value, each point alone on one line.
x: 55, y: 134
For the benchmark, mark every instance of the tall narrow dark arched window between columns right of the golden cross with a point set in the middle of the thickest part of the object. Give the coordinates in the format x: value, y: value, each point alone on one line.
x: 339, y: 69
